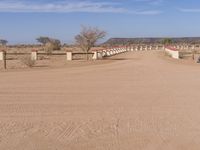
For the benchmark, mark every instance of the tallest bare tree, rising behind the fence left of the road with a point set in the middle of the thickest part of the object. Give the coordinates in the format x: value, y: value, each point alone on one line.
x: 88, y: 37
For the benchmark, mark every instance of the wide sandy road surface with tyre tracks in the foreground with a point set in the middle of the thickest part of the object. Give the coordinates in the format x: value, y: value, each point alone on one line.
x: 142, y: 101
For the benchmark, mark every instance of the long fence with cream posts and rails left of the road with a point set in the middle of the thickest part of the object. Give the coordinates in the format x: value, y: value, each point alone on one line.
x: 69, y: 56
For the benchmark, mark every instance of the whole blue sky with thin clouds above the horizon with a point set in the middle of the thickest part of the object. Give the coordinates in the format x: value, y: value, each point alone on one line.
x: 22, y: 21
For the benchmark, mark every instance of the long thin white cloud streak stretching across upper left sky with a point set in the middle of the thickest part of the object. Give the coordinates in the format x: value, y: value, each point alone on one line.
x: 67, y: 7
